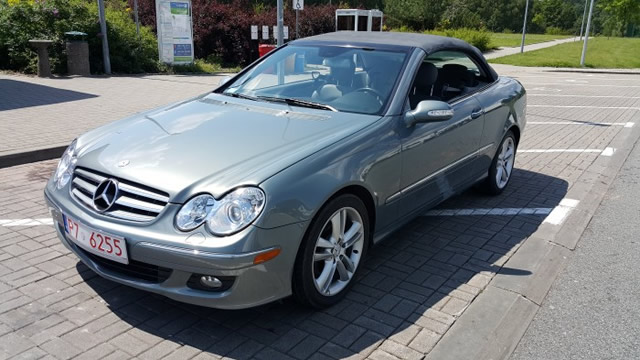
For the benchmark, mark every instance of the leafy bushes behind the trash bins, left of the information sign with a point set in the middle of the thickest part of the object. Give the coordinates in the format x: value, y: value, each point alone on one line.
x: 21, y: 21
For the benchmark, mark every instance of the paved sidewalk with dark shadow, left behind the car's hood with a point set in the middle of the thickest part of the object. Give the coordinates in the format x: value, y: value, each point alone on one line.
x: 39, y: 117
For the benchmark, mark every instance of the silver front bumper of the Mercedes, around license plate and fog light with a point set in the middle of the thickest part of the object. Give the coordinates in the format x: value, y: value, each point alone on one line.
x: 167, y: 264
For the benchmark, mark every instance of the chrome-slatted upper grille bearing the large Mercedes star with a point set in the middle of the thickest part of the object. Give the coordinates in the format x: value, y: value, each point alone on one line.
x: 135, y: 202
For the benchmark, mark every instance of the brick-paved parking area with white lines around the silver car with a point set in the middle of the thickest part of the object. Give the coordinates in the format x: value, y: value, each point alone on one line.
x: 412, y: 289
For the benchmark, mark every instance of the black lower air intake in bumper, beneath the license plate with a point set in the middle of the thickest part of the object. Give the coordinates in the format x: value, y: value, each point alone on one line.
x: 135, y: 269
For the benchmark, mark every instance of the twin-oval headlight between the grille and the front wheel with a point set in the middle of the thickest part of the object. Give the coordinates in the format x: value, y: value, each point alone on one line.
x: 231, y: 214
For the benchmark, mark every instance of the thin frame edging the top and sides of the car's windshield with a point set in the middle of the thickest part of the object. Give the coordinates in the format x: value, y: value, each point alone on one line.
x: 362, y: 45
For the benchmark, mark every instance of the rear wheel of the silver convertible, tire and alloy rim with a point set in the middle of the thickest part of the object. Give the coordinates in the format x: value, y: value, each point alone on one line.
x: 499, y: 168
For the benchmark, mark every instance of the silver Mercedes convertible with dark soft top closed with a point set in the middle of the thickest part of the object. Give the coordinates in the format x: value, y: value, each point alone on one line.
x: 278, y: 182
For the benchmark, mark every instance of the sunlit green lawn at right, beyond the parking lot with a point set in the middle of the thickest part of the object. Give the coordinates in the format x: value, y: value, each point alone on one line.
x: 602, y: 52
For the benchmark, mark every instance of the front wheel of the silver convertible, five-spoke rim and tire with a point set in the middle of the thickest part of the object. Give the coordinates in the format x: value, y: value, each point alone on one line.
x: 322, y: 257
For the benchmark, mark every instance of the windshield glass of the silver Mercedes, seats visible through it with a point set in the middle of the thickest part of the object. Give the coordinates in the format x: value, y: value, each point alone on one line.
x: 350, y: 79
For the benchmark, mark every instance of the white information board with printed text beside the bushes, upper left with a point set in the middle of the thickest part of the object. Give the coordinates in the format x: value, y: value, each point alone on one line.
x: 175, y: 34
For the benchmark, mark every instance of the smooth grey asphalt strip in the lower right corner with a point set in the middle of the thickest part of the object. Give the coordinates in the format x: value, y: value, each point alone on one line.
x: 591, y: 311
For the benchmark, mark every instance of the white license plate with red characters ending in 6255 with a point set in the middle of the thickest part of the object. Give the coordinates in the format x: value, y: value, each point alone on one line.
x: 96, y: 241
